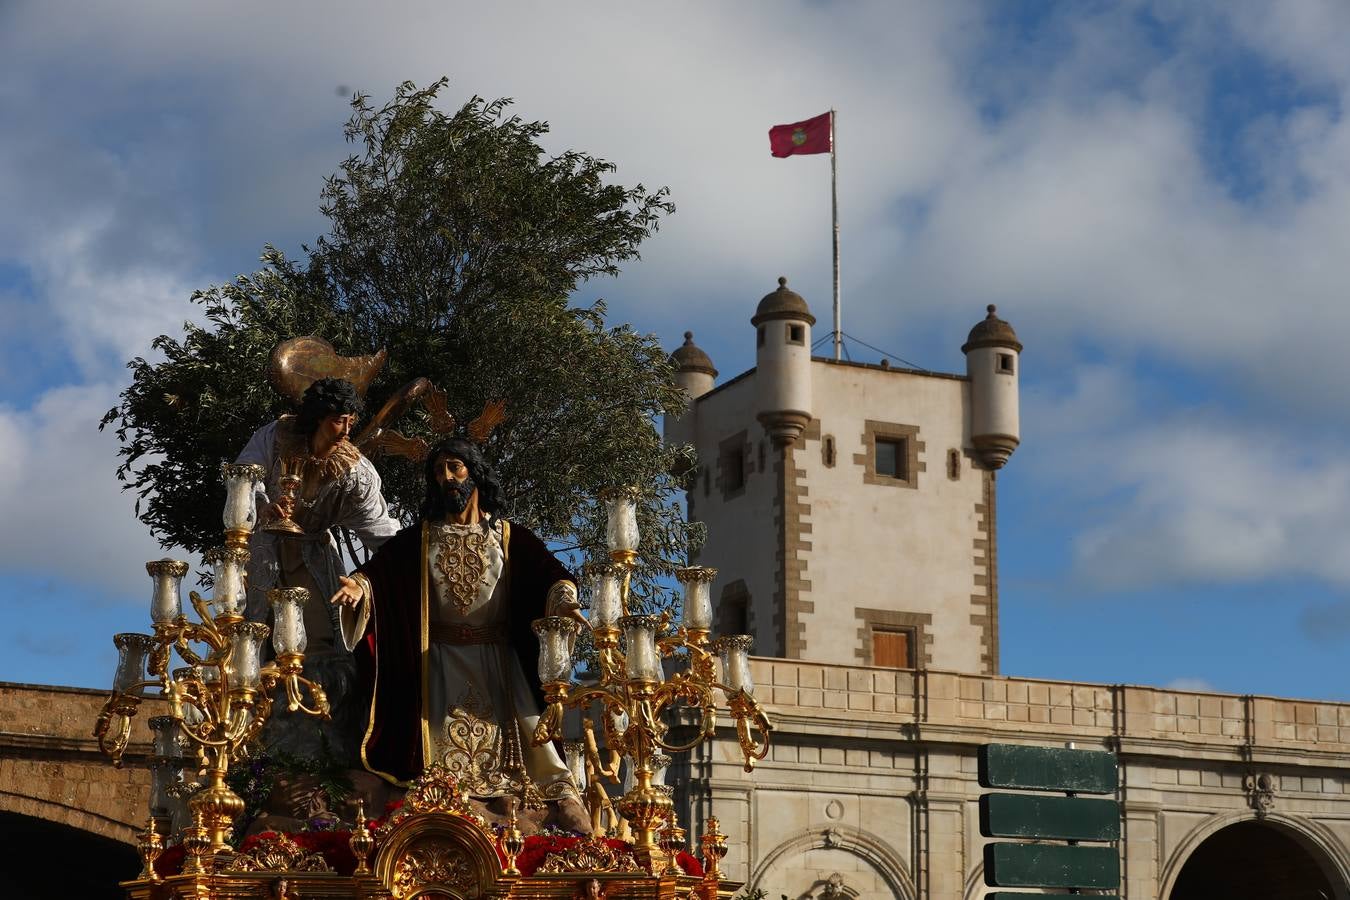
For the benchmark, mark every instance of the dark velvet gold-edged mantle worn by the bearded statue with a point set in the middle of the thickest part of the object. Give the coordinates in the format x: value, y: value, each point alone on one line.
x: 392, y: 658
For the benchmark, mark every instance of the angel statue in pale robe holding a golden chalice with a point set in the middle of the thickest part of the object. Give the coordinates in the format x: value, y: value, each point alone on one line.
x: 319, y: 485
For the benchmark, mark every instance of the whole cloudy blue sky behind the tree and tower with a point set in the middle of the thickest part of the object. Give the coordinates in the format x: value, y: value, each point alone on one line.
x: 1156, y: 196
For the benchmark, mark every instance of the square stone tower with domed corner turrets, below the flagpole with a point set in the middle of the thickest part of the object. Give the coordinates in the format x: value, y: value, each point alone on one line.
x: 851, y: 507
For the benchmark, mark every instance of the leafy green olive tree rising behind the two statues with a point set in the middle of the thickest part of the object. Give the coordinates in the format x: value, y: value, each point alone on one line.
x: 456, y: 244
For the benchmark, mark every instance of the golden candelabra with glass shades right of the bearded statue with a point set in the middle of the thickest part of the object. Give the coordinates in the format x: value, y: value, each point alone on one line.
x: 634, y: 686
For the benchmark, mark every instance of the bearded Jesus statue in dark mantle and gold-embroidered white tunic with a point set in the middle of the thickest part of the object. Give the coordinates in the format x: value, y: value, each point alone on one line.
x: 442, y: 615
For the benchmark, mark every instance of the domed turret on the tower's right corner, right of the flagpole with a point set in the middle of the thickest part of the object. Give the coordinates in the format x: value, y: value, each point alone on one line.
x: 992, y: 362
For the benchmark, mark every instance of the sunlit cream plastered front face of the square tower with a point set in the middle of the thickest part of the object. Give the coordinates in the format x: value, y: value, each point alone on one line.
x: 888, y: 547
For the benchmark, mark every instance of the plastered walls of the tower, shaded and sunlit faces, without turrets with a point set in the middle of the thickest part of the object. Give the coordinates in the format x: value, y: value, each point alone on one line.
x: 881, y: 547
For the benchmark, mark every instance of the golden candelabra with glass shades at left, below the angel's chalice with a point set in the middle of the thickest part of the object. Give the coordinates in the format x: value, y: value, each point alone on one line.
x: 219, y: 704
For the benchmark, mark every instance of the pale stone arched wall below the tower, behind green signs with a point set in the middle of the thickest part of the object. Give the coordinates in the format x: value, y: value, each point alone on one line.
x: 884, y: 791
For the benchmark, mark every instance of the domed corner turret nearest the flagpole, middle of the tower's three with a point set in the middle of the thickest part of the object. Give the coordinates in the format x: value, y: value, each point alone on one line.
x: 784, y: 364
